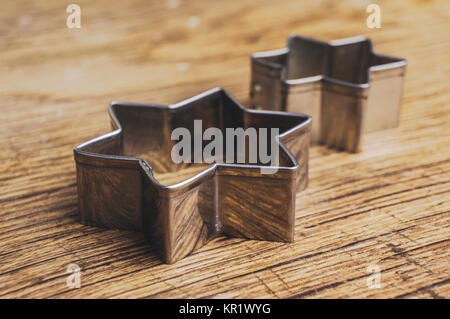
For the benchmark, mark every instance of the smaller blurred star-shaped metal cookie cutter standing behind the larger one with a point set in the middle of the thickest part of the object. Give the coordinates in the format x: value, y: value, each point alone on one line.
x: 346, y: 87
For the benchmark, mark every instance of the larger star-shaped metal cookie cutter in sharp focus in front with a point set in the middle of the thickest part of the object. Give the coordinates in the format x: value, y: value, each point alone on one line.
x: 127, y: 180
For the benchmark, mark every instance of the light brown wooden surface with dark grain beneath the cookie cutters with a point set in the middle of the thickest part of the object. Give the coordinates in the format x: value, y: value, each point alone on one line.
x: 385, y: 207
